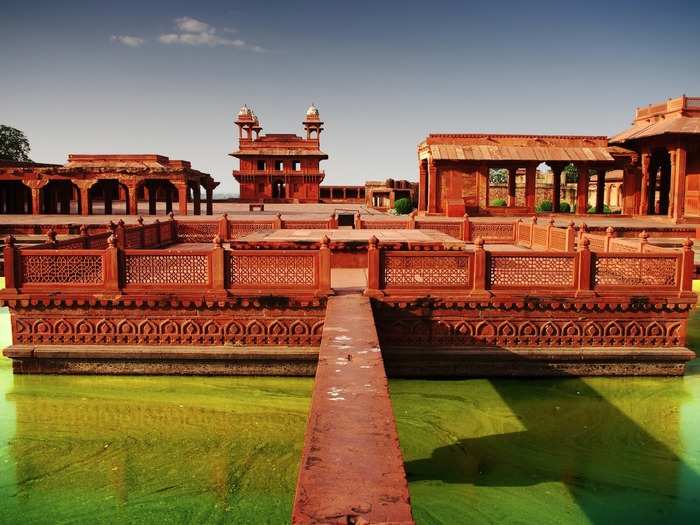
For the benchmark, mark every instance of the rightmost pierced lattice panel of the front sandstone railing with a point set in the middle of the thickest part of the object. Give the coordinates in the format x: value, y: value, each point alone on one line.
x: 635, y: 271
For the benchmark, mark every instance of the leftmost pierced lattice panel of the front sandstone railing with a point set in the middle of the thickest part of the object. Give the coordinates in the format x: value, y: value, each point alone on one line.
x: 79, y: 269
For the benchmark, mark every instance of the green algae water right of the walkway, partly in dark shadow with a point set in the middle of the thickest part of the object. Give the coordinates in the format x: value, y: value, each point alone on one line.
x: 594, y: 450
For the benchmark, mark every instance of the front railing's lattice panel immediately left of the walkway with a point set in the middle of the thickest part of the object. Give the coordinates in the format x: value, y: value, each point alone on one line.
x: 282, y: 270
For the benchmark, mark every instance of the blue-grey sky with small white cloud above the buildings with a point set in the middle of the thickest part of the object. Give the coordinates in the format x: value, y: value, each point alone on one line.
x: 169, y: 77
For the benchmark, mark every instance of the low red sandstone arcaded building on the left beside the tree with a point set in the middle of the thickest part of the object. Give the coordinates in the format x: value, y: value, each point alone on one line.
x: 103, y: 180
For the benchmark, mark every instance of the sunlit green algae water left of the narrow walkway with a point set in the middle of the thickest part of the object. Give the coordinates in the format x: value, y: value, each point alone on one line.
x: 81, y: 449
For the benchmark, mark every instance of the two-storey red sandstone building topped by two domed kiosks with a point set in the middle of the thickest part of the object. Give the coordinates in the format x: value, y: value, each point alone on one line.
x: 279, y: 167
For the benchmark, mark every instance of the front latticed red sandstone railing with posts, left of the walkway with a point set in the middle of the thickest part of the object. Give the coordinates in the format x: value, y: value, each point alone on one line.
x: 168, y: 271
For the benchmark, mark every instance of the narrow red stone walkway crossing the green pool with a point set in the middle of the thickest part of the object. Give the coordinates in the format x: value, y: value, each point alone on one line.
x: 352, y: 469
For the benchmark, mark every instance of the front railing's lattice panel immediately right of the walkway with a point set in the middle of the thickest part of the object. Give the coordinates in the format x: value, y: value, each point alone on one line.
x: 425, y: 271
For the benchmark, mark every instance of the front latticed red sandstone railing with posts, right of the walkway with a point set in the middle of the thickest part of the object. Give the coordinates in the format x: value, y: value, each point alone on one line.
x: 580, y: 273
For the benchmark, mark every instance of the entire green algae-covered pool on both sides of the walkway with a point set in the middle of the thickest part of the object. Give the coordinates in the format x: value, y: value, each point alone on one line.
x: 210, y: 450
